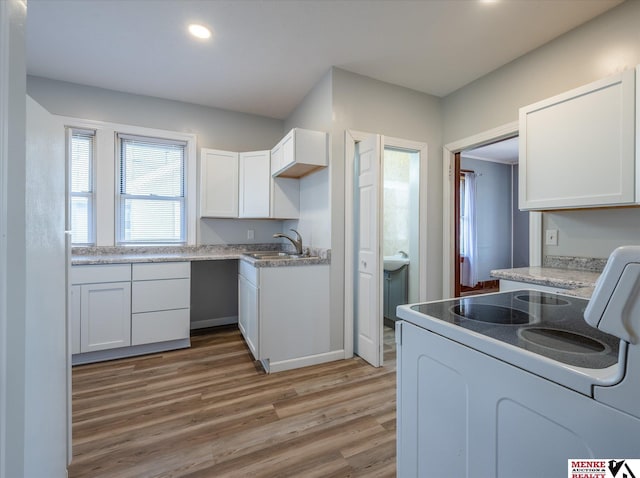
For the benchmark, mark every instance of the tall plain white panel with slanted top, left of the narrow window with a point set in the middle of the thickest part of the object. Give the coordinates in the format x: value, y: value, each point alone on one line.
x: 45, y: 319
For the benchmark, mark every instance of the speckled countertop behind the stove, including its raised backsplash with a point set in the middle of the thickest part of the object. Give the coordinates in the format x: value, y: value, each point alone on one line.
x: 578, y: 275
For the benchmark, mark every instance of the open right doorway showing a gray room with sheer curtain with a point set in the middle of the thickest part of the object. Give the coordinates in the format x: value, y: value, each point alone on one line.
x: 490, y: 231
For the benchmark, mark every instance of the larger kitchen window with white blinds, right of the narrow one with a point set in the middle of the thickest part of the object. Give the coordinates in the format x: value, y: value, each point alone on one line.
x: 151, y: 190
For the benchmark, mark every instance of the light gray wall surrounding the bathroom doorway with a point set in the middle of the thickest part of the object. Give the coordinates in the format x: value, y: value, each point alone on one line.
x: 363, y: 104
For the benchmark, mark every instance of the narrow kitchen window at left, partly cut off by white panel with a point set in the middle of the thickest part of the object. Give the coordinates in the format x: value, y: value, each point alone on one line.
x: 82, y: 211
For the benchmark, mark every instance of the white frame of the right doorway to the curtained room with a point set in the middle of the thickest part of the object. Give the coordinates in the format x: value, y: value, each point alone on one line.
x: 448, y: 193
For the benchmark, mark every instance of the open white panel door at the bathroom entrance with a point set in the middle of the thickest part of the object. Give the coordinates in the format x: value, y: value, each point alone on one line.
x: 368, y: 343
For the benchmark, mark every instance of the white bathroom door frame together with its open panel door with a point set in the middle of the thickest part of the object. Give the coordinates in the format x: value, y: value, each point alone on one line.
x: 364, y: 254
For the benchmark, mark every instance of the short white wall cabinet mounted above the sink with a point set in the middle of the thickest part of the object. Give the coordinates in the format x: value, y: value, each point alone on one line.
x: 299, y: 153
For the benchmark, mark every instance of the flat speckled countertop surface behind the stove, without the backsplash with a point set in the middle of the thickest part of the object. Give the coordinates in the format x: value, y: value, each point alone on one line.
x: 579, y: 283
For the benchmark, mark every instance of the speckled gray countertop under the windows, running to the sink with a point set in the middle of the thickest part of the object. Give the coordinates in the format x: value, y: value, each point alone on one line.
x: 123, y: 255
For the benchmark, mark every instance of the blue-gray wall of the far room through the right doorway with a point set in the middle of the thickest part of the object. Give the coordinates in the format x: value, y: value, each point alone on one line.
x: 493, y: 214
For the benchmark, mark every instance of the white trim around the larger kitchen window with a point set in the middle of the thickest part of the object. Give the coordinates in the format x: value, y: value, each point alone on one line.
x: 105, y: 171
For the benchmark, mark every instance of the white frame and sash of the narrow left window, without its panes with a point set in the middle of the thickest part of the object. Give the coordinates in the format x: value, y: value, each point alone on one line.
x: 70, y: 130
